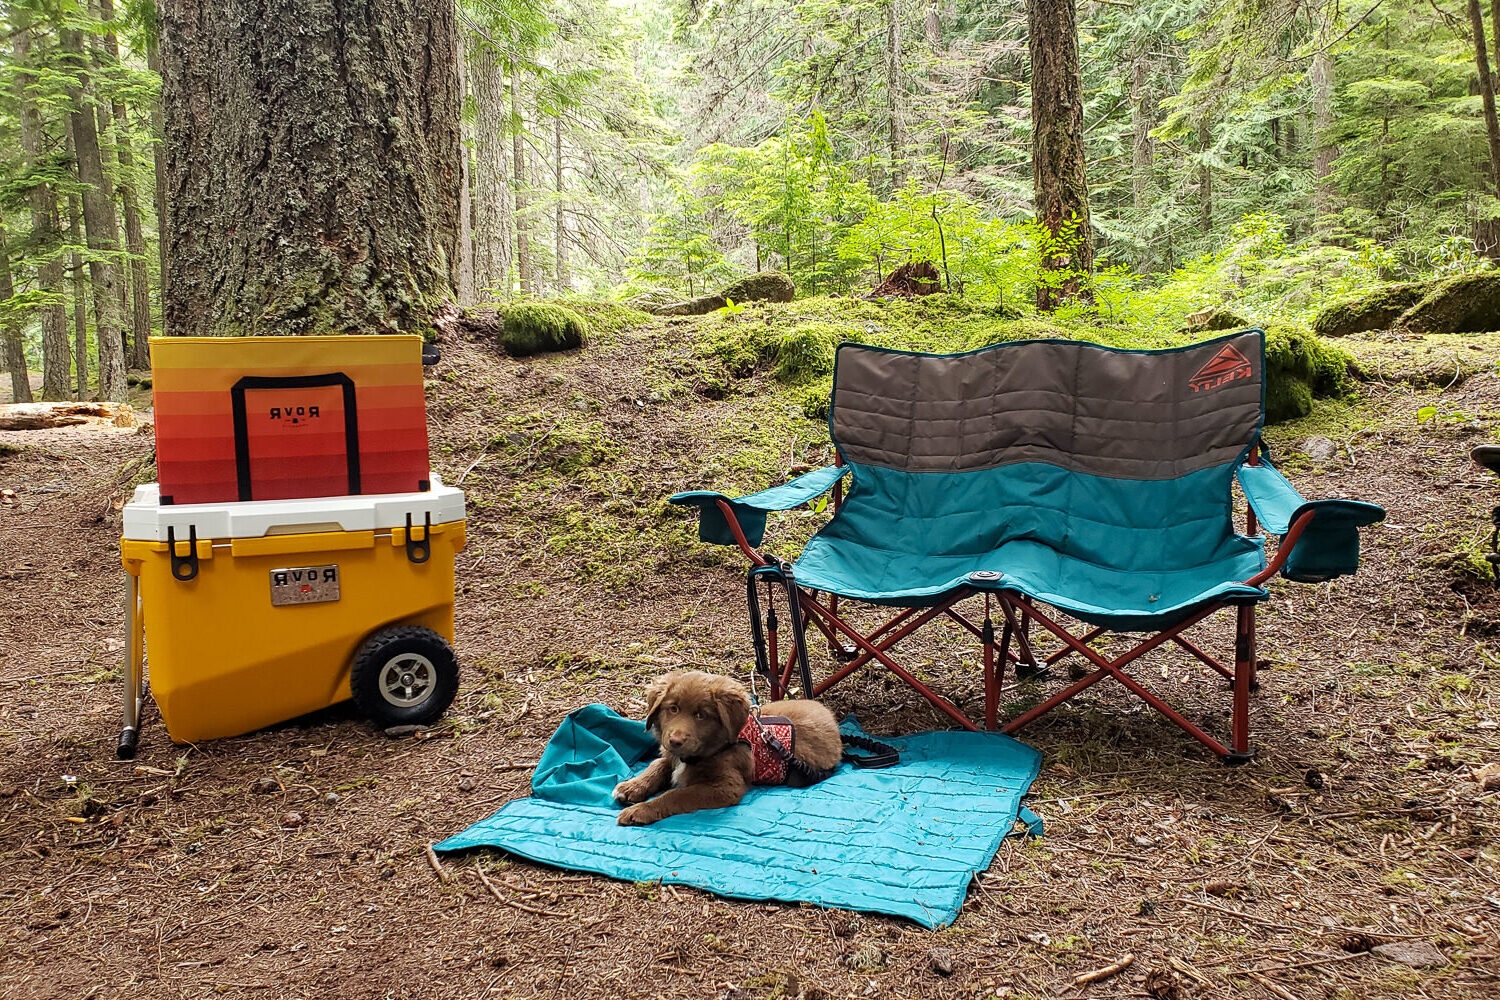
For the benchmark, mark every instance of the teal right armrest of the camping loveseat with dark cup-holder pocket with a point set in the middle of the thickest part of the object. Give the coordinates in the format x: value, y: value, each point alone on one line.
x: 1330, y: 545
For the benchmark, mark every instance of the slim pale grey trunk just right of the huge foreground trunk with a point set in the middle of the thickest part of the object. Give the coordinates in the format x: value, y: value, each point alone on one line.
x: 491, y: 175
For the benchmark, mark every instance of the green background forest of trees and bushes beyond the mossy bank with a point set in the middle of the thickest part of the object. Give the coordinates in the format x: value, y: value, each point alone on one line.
x: 1273, y: 154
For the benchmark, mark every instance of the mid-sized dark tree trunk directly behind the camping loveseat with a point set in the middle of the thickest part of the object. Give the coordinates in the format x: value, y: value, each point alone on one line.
x: 1063, y: 191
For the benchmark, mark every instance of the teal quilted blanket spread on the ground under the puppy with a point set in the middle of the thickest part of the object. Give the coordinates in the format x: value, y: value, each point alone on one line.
x: 904, y: 840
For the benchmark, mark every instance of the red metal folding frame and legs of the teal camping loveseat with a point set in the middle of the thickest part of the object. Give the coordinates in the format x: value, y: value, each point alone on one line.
x: 1019, y: 612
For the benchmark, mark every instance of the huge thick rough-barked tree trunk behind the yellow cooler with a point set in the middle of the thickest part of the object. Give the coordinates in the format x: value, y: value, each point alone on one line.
x: 313, y: 166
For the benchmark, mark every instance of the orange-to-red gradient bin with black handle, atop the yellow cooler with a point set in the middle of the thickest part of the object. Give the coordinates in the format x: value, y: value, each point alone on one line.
x: 253, y: 419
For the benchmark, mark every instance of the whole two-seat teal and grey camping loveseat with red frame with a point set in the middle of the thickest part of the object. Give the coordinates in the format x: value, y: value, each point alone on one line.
x: 1051, y: 481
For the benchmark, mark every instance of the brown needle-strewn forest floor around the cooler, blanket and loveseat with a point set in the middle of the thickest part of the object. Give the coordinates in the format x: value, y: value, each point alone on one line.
x: 170, y: 876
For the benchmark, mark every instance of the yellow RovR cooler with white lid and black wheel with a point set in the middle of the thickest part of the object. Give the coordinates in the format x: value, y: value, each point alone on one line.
x: 250, y: 614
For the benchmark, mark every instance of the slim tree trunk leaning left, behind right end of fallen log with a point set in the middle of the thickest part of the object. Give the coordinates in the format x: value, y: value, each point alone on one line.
x: 100, y: 226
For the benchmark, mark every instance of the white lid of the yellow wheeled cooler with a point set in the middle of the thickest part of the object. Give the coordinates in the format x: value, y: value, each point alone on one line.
x: 148, y: 519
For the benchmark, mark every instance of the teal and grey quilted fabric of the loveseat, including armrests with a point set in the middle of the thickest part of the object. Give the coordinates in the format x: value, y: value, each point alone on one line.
x: 1091, y: 479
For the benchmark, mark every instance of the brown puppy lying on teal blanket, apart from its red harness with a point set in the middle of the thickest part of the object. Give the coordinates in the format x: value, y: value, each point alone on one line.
x: 697, y: 717
